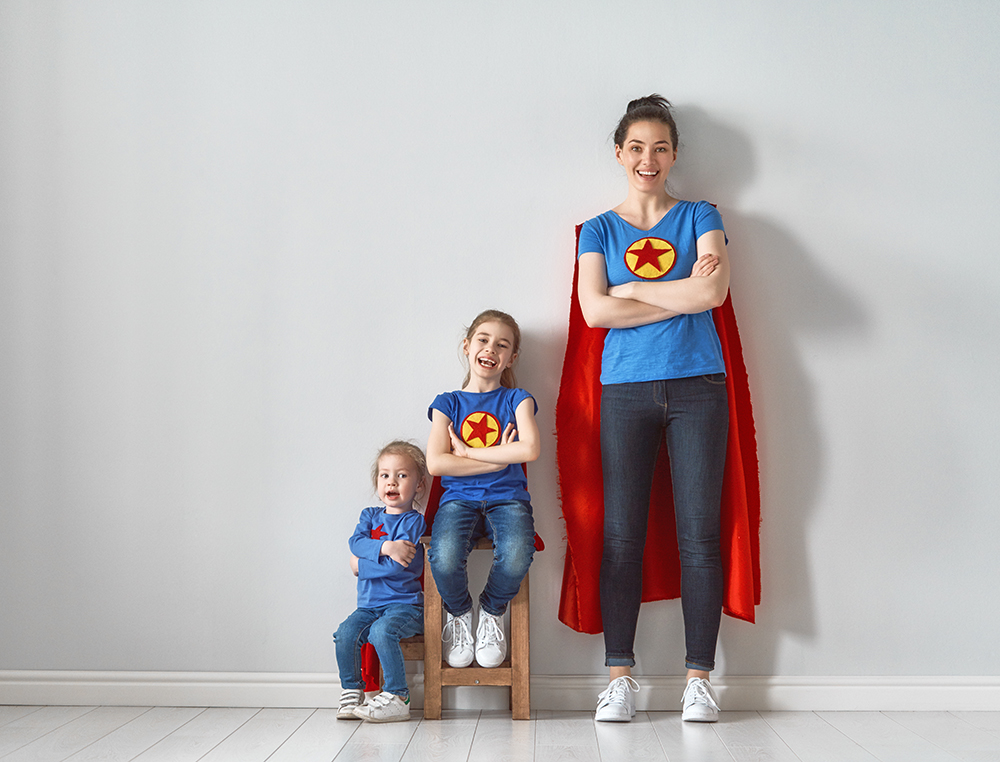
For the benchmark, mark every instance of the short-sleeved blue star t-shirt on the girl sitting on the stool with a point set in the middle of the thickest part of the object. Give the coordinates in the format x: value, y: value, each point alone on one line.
x: 480, y: 419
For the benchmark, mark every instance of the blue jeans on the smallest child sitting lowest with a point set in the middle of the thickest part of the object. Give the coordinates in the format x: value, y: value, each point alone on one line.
x: 383, y: 627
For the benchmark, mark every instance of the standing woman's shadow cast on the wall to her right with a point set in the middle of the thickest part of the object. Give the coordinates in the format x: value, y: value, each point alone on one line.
x: 780, y: 295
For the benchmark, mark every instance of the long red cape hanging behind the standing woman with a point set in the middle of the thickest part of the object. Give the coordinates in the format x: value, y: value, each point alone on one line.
x: 578, y: 456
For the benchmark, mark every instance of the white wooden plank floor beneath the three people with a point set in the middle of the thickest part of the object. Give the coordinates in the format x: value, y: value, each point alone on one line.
x: 109, y: 734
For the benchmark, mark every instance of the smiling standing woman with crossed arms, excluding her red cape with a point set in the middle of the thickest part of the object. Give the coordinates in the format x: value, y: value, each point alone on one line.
x: 651, y: 270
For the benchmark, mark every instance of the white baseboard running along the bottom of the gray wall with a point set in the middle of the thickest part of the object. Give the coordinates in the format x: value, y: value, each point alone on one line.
x: 554, y: 692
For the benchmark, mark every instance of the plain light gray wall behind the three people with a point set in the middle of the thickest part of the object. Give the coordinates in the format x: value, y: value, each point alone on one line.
x: 239, y: 241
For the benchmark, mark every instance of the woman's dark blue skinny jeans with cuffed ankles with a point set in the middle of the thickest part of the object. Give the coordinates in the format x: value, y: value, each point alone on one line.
x: 692, y: 416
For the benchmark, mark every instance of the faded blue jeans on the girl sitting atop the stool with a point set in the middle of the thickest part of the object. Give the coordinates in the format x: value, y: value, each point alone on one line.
x: 457, y: 526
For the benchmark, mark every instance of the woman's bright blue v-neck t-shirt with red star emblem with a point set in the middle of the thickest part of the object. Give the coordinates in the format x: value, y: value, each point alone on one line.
x: 682, y: 346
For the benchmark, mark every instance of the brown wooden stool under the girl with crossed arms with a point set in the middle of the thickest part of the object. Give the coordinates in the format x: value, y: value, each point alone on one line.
x: 515, y: 671
